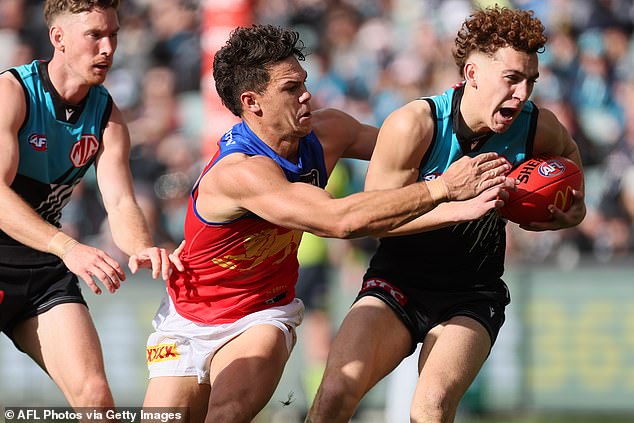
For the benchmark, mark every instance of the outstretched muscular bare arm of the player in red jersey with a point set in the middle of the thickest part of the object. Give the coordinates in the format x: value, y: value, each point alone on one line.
x: 239, y: 183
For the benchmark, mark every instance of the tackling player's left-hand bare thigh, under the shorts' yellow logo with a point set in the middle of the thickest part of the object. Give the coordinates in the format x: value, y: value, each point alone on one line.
x: 178, y: 393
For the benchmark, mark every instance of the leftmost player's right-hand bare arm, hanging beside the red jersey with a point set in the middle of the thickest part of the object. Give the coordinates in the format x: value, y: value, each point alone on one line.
x: 127, y: 223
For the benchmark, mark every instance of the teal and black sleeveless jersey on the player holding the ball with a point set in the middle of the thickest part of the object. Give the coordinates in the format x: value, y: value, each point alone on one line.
x: 469, y: 255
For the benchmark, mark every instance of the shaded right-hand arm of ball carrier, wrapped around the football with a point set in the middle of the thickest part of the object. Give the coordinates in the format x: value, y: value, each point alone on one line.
x: 553, y: 138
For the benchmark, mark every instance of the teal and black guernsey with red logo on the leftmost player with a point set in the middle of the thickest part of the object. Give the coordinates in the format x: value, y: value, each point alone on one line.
x: 58, y: 143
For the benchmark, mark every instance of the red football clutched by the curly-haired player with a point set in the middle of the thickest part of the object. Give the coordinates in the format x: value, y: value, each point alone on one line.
x: 542, y: 180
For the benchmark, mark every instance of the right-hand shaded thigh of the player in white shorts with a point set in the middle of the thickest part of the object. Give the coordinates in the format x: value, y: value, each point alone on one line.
x: 248, y: 368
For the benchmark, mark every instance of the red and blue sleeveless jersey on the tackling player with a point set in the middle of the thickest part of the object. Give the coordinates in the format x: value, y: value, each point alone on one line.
x: 248, y: 264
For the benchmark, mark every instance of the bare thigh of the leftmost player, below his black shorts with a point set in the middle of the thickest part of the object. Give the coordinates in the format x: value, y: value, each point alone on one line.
x: 64, y: 331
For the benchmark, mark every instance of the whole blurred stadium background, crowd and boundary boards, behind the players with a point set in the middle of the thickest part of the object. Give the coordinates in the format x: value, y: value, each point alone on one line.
x: 566, y: 352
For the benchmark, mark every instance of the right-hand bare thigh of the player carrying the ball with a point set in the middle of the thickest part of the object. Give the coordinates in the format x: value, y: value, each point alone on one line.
x: 451, y: 357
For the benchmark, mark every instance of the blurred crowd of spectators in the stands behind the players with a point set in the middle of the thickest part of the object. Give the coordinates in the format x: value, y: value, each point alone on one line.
x: 367, y: 57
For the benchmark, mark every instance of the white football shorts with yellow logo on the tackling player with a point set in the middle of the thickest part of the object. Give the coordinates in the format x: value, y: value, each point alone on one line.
x: 180, y: 347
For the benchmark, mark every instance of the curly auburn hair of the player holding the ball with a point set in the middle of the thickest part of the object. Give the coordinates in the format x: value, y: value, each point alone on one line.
x: 490, y: 29
